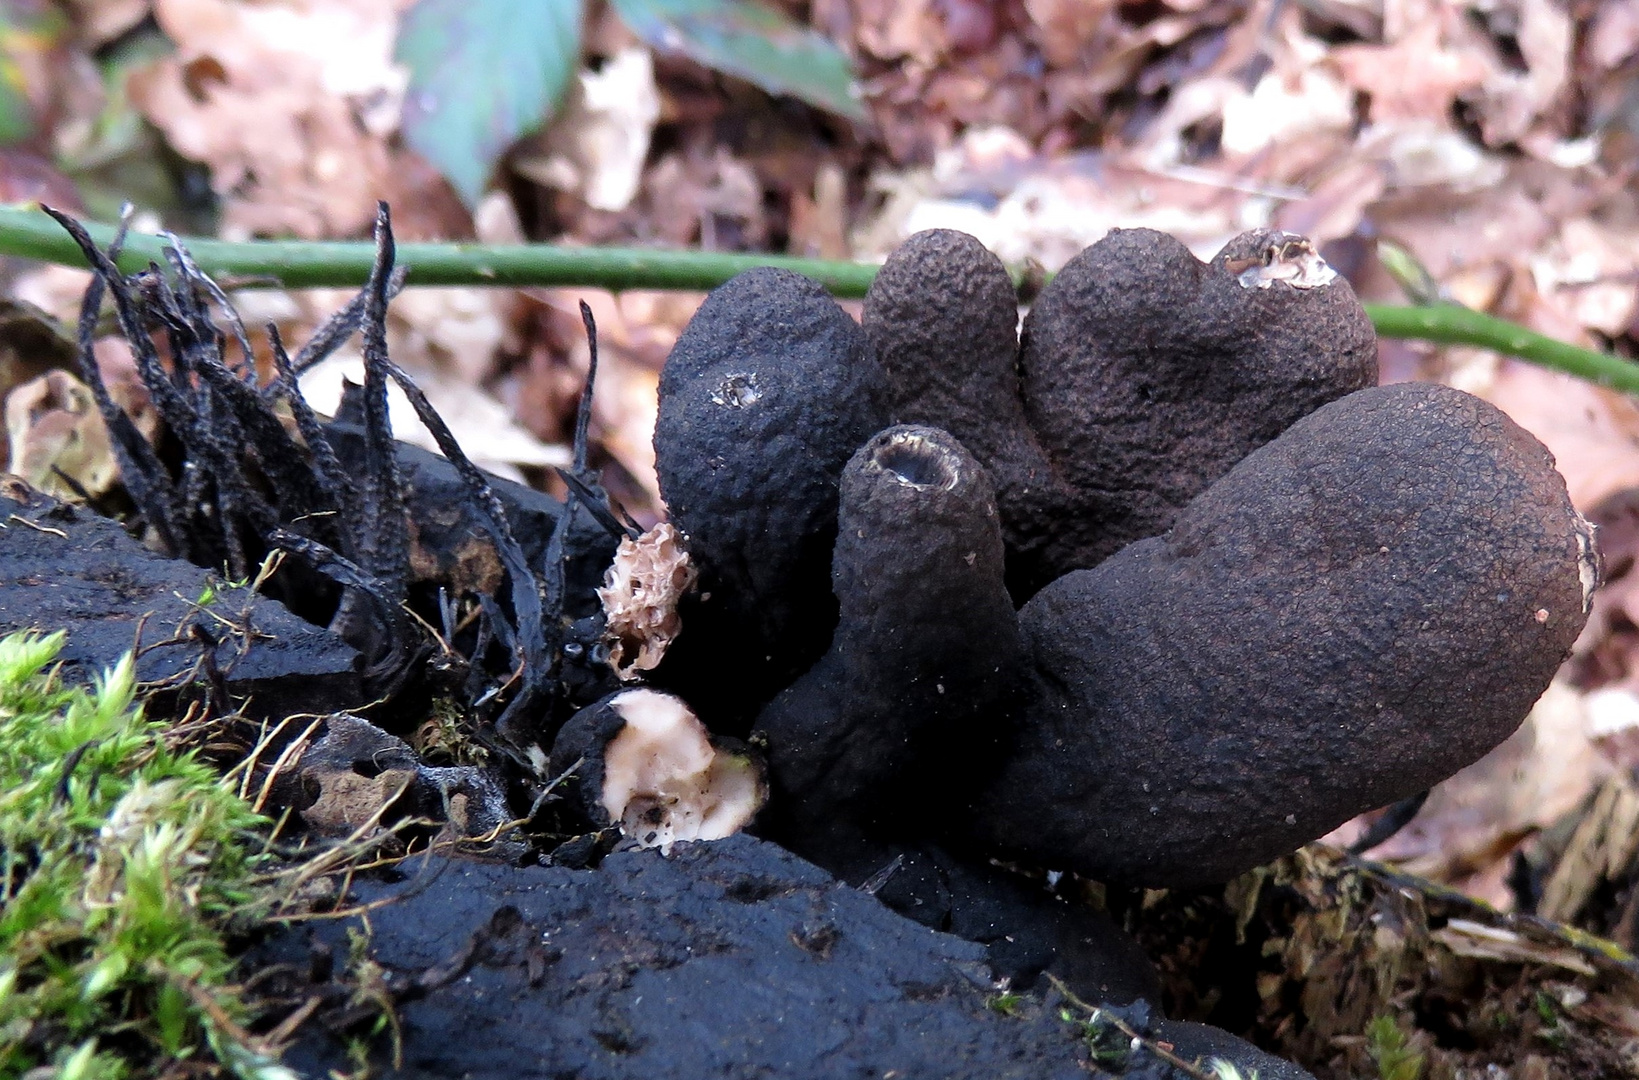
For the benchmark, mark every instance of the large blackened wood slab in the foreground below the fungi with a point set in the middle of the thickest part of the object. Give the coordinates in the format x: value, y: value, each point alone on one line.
x: 727, y: 960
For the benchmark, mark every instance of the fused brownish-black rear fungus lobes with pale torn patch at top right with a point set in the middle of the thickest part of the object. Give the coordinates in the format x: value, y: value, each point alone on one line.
x: 1142, y: 376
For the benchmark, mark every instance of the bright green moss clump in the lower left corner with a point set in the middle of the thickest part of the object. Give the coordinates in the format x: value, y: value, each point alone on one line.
x: 122, y: 871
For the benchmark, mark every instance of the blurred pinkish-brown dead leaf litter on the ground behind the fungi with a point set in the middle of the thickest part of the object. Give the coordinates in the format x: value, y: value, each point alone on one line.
x: 1494, y: 143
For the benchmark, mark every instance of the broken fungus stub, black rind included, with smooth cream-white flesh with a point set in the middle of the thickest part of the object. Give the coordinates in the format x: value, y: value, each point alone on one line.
x: 645, y: 763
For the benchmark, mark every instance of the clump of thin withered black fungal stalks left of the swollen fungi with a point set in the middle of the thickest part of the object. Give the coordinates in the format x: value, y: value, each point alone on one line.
x: 230, y: 483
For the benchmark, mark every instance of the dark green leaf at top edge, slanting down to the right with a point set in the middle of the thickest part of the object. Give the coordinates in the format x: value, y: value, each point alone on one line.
x: 750, y: 42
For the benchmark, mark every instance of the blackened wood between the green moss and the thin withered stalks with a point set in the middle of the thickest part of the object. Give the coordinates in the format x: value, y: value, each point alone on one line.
x: 65, y: 568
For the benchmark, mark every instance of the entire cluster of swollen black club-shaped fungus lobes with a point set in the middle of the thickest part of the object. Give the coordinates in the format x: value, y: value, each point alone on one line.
x: 1356, y: 610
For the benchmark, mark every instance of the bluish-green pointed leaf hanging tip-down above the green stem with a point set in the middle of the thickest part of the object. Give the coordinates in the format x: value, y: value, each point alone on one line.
x: 483, y: 73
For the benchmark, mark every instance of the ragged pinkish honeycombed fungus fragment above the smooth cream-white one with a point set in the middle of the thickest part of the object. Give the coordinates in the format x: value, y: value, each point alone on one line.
x: 640, y: 599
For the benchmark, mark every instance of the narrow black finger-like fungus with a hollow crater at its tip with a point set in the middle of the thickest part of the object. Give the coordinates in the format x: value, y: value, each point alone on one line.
x: 927, y: 643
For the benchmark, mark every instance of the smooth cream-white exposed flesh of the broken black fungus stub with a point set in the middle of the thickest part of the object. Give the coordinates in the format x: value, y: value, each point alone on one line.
x: 665, y: 783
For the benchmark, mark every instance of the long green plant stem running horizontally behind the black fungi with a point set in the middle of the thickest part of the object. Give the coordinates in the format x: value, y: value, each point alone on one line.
x: 306, y: 265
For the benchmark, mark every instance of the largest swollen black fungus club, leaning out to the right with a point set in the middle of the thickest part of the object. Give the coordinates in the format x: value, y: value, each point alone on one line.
x: 1353, y: 614
